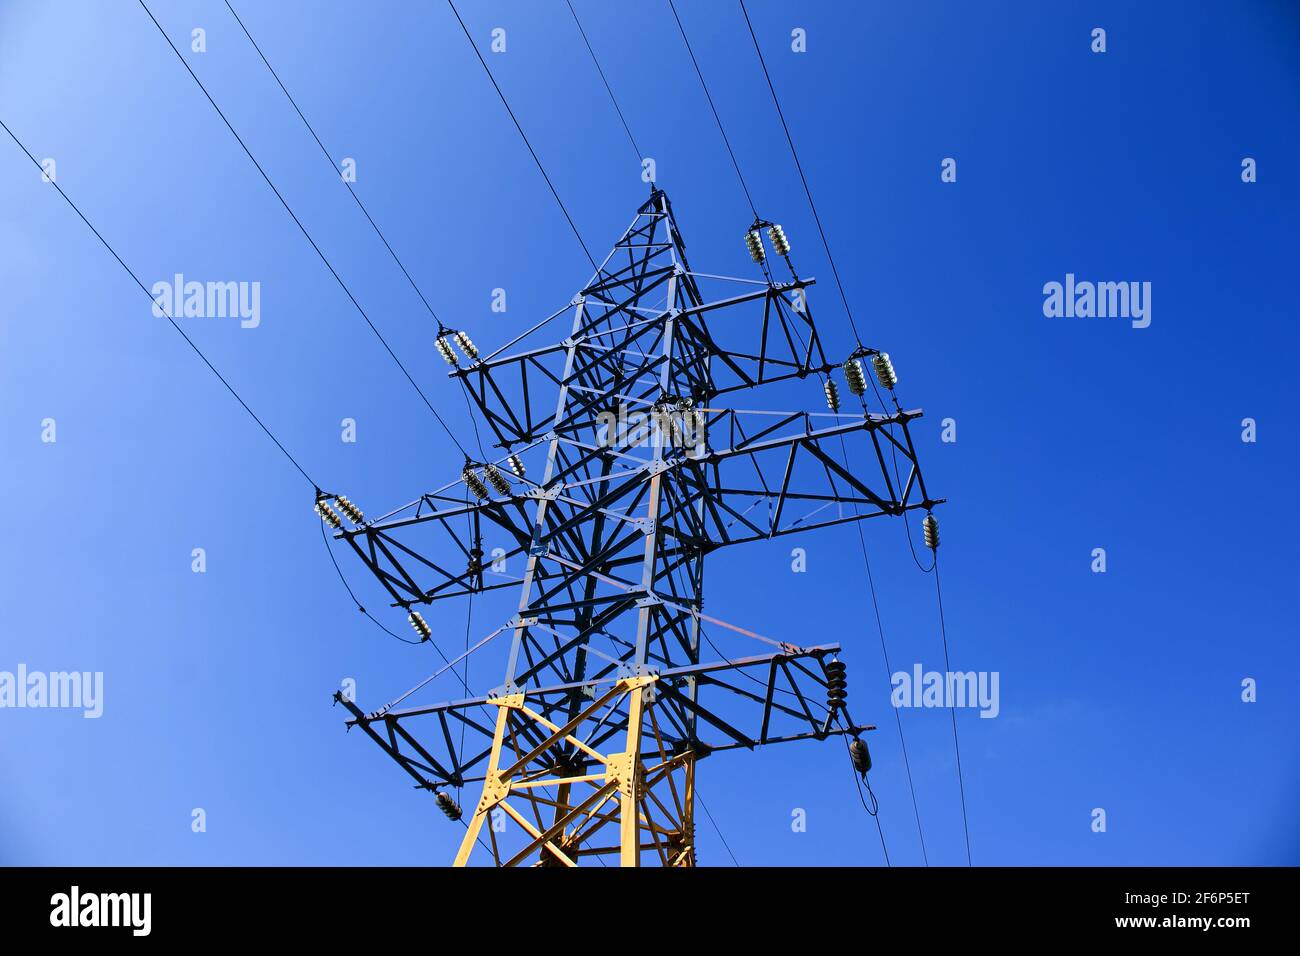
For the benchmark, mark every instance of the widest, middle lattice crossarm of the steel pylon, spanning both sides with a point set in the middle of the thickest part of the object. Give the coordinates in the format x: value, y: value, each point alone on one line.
x: 757, y: 475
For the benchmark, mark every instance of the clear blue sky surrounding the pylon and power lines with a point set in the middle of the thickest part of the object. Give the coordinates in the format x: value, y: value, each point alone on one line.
x: 1119, y: 690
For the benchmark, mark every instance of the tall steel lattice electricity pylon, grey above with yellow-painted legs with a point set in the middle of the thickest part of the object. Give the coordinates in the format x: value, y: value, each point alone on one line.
x: 591, y: 743
